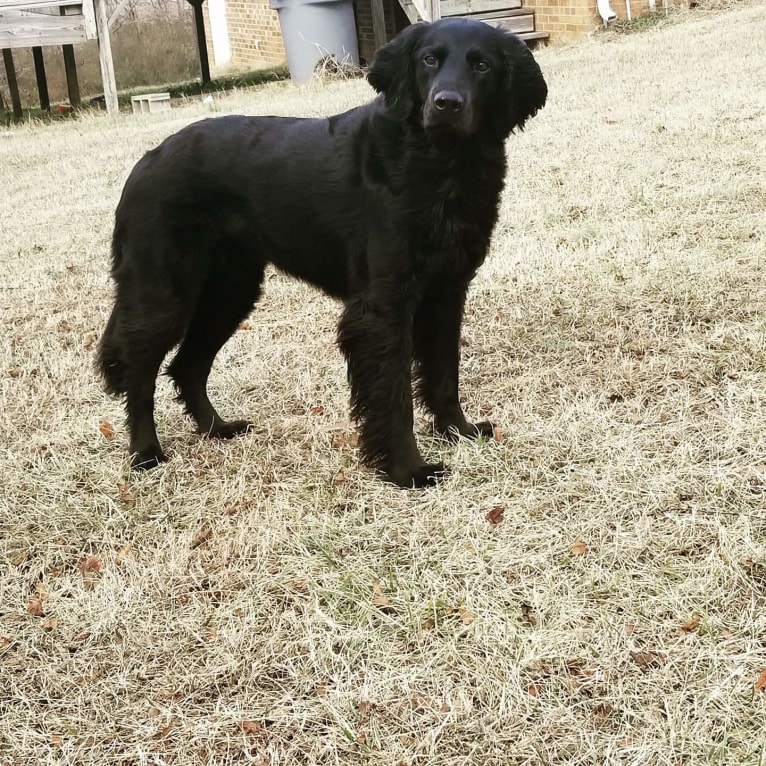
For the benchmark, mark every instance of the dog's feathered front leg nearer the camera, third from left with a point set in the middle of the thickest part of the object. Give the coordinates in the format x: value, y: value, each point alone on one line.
x: 375, y: 336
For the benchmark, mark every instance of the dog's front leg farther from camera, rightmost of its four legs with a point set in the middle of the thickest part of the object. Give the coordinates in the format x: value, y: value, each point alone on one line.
x: 436, y: 351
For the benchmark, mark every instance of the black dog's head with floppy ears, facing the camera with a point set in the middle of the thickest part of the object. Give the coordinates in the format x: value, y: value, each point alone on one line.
x: 457, y: 76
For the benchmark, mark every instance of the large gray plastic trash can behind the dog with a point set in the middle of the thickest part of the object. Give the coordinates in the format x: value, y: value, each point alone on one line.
x: 314, y: 29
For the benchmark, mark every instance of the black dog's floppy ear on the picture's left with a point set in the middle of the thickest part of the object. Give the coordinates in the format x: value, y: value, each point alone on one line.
x: 392, y: 74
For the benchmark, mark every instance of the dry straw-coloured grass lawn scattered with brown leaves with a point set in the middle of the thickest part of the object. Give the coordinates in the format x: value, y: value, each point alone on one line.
x: 266, y: 601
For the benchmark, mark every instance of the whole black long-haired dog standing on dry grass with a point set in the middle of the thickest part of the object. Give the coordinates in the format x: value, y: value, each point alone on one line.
x: 388, y: 207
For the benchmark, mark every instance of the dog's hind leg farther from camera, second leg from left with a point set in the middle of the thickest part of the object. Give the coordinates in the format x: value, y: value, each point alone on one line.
x: 226, y: 299
